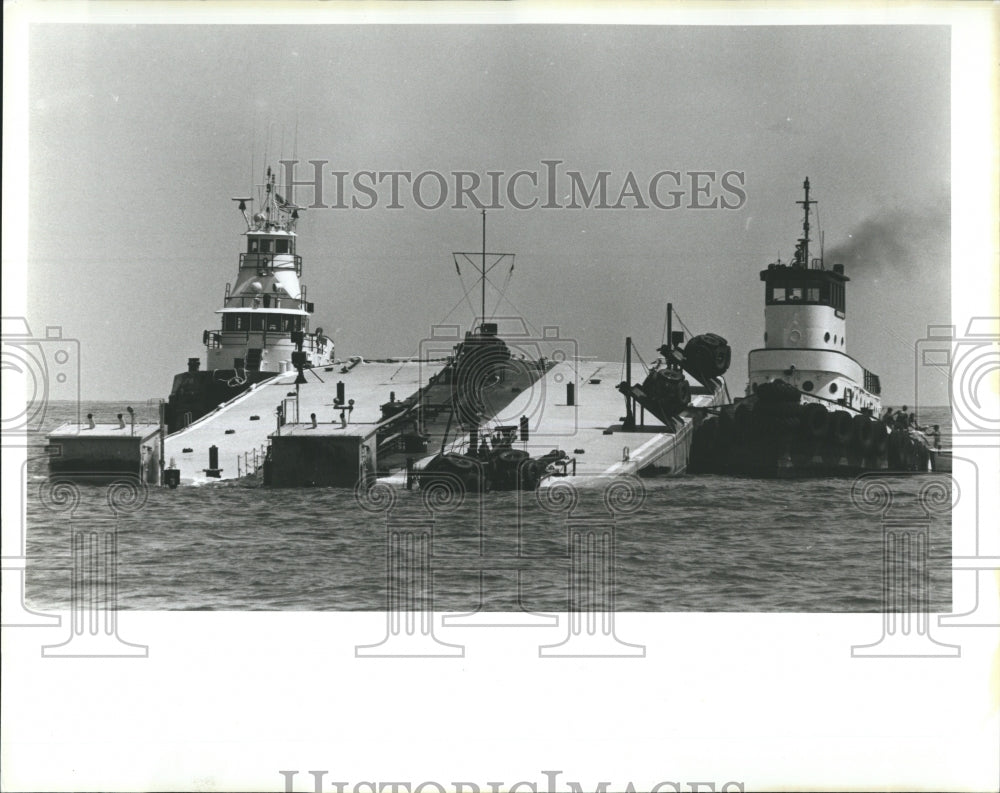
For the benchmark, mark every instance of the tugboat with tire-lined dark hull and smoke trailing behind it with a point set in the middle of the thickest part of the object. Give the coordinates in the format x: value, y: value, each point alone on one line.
x: 810, y: 408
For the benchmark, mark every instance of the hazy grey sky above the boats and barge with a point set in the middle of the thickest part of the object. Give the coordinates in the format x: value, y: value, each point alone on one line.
x: 139, y: 136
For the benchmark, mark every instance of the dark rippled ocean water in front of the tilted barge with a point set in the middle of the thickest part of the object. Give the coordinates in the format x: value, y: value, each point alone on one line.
x: 694, y: 543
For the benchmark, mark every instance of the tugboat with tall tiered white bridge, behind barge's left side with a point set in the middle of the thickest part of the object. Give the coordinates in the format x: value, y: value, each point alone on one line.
x: 265, y: 316
